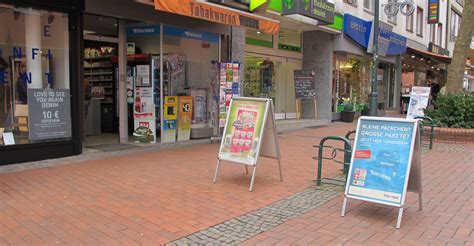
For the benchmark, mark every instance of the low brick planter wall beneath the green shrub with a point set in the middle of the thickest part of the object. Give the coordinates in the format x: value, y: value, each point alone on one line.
x: 452, y: 135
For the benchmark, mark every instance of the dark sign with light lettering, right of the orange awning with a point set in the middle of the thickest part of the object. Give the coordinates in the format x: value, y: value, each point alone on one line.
x: 320, y: 10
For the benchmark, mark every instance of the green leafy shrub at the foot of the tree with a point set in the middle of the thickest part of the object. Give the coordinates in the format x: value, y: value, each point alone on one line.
x: 454, y: 110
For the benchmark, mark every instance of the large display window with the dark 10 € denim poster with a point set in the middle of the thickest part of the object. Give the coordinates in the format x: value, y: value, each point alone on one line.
x: 34, y: 76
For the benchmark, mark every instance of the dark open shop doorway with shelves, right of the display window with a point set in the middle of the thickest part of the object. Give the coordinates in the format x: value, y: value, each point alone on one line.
x: 100, y: 81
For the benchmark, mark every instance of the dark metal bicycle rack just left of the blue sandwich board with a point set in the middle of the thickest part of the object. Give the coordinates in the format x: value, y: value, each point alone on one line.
x: 347, y: 152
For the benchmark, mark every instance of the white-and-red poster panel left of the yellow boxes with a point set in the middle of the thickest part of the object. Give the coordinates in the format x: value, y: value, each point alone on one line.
x: 144, y: 115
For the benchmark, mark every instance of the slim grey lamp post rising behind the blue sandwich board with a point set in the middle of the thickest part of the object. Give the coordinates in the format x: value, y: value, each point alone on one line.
x: 374, y: 92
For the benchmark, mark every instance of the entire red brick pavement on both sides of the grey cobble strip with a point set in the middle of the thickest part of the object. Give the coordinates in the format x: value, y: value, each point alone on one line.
x: 157, y: 197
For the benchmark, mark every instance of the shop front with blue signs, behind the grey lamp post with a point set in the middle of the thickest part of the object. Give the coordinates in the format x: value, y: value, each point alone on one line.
x: 353, y: 67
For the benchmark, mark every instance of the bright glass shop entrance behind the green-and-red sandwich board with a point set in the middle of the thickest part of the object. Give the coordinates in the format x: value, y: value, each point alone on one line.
x: 272, y: 77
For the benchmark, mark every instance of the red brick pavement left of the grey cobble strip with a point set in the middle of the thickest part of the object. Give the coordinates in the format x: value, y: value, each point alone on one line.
x: 148, y: 198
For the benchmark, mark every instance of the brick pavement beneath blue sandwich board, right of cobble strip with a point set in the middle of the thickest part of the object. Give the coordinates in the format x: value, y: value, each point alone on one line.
x: 447, y: 217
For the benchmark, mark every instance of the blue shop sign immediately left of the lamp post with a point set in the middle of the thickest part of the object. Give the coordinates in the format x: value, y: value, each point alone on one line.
x: 357, y: 29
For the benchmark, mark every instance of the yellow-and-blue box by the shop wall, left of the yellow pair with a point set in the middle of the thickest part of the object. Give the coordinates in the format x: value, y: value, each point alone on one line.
x: 170, y: 119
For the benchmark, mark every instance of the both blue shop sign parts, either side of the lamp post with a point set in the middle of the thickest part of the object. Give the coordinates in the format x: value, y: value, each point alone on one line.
x: 359, y: 31
